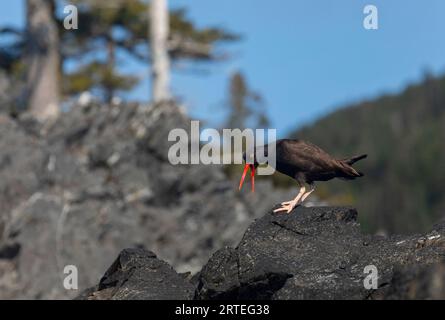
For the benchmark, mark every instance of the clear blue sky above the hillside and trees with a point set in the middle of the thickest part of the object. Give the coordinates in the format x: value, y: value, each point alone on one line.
x: 306, y: 57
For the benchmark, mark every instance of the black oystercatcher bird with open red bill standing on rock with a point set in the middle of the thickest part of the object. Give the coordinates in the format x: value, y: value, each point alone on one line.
x: 306, y: 163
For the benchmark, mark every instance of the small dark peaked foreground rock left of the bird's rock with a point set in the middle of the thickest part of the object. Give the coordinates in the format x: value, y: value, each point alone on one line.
x: 138, y: 275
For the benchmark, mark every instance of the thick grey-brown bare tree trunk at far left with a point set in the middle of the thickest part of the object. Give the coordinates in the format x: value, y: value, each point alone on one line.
x: 43, y: 60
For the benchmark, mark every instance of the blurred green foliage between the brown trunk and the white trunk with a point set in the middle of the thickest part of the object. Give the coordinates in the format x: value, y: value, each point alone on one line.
x: 98, y: 24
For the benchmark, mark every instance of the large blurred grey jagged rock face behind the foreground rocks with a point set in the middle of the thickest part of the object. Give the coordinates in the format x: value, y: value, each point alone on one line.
x: 98, y: 181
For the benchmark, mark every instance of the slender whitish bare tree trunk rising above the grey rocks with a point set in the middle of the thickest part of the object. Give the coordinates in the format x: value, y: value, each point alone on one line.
x: 159, y: 29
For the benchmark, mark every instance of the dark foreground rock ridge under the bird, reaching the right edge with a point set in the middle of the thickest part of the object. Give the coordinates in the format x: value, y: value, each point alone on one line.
x: 315, y: 253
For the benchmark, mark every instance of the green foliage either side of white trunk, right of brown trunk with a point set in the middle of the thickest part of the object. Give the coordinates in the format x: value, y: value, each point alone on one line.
x: 122, y: 26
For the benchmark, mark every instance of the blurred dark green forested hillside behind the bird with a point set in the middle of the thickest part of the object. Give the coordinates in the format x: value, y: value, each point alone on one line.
x: 404, y: 135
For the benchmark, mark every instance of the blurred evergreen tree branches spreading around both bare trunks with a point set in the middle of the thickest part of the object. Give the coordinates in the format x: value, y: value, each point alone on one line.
x: 108, y: 33
